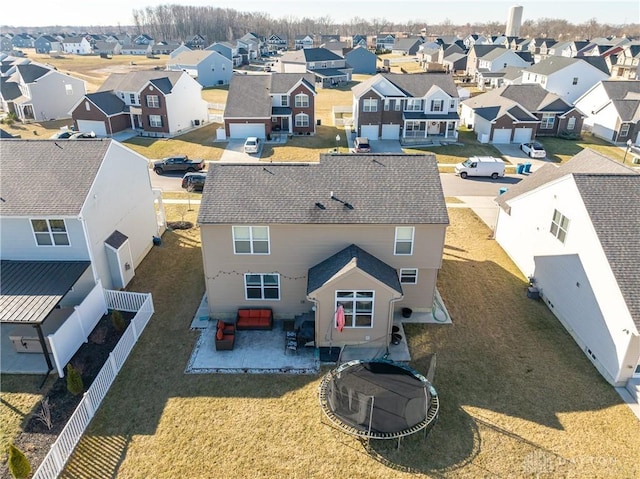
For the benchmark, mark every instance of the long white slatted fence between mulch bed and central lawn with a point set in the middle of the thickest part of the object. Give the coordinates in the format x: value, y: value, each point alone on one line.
x: 61, y: 450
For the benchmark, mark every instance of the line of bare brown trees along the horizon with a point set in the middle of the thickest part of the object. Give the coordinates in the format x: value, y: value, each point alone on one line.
x: 179, y: 22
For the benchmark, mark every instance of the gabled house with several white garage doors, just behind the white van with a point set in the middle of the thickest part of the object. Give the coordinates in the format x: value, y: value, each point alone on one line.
x: 519, y: 113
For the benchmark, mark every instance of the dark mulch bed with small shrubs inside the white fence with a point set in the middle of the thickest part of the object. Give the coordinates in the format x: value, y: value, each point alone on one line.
x: 36, y: 438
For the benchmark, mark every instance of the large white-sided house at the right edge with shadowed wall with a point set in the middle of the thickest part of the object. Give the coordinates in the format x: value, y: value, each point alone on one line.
x: 574, y: 230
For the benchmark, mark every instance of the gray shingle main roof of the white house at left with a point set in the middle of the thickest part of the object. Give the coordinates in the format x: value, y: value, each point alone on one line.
x: 60, y: 174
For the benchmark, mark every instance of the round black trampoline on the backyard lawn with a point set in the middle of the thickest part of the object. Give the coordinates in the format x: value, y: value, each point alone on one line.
x: 378, y: 399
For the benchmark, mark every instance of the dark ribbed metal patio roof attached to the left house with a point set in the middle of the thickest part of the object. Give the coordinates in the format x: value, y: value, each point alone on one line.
x: 44, y: 283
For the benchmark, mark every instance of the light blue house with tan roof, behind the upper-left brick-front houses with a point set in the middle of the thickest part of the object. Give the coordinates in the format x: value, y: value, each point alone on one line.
x: 208, y: 67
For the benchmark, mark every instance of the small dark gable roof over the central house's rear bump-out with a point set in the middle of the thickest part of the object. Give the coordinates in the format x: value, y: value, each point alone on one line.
x: 327, y: 269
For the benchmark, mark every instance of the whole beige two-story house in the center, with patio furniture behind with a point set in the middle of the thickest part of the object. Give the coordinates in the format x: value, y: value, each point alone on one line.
x: 302, y: 239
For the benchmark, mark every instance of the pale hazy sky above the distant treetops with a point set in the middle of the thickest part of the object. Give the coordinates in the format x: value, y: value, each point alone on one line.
x: 34, y: 13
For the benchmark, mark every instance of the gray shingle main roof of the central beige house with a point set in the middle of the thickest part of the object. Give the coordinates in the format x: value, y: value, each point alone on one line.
x: 382, y: 189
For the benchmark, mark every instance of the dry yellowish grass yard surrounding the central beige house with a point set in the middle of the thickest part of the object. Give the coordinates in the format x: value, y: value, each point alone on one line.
x: 518, y: 397
